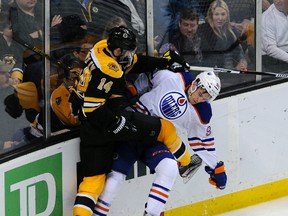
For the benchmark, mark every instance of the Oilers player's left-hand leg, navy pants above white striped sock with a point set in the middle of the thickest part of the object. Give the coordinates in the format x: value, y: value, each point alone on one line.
x: 125, y: 156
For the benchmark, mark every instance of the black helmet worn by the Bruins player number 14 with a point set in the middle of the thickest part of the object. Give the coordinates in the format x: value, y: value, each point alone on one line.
x: 121, y: 37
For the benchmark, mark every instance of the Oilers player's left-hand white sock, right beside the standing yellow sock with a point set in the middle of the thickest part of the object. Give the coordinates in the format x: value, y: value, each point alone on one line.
x: 113, y: 183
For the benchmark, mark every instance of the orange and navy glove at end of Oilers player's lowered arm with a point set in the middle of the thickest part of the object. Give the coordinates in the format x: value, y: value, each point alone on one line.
x: 218, y: 176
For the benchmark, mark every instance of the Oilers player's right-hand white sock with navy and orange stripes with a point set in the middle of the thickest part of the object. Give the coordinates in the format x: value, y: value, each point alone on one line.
x: 165, y: 176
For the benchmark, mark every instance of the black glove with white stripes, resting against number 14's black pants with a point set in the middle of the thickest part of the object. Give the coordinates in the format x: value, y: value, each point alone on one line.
x: 122, y: 126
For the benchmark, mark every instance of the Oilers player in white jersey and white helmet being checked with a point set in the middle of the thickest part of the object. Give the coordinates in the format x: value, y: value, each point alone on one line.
x: 185, y: 102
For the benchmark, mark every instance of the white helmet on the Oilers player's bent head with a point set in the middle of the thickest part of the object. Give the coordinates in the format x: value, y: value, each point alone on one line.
x: 210, y: 82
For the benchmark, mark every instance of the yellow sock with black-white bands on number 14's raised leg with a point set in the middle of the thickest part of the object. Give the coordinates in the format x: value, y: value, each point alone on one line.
x: 168, y: 135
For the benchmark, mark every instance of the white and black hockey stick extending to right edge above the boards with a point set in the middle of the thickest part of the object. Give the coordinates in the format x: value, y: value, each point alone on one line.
x: 224, y: 70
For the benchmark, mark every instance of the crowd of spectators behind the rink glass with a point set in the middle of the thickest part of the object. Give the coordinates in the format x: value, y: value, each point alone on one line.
x: 206, y: 33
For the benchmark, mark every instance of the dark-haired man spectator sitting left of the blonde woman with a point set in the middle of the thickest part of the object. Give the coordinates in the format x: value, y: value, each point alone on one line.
x: 185, y: 37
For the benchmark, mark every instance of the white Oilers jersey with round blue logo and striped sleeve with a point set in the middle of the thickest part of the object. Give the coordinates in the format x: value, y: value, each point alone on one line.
x: 168, y: 100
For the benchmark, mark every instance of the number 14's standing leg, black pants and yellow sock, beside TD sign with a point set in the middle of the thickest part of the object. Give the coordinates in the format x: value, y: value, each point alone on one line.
x: 96, y: 161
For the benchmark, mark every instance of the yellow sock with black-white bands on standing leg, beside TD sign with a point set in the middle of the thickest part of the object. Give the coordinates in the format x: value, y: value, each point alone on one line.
x: 88, y: 192
